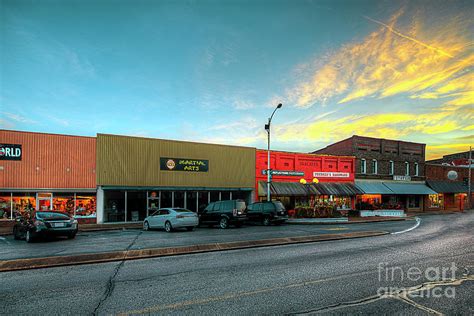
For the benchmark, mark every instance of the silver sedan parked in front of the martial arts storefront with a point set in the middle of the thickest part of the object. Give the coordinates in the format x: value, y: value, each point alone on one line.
x: 171, y: 218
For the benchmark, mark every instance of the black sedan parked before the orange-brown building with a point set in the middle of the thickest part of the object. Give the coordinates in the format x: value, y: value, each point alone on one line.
x: 42, y: 223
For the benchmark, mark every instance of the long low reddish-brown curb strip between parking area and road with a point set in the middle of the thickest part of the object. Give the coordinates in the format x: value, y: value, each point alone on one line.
x: 57, y: 261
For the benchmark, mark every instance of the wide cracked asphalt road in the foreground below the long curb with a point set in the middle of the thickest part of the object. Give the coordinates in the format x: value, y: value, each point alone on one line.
x: 337, y: 277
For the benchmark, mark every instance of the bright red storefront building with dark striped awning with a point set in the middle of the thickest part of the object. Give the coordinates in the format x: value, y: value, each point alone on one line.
x: 307, y: 180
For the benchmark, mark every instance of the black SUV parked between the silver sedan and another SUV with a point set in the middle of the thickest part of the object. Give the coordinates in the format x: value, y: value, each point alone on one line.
x: 224, y: 213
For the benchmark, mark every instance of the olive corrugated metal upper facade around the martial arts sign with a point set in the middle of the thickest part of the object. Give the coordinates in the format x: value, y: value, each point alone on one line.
x: 135, y: 161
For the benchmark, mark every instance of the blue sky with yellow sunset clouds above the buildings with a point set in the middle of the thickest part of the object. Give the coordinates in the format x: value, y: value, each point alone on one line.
x: 213, y: 71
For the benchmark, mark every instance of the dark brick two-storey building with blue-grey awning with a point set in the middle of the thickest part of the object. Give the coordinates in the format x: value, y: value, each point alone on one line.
x: 389, y: 172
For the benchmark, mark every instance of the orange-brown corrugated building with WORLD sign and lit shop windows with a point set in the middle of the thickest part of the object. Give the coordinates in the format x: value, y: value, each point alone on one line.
x: 47, y: 171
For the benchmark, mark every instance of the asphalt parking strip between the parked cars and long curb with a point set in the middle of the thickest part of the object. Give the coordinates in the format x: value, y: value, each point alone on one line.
x: 105, y: 241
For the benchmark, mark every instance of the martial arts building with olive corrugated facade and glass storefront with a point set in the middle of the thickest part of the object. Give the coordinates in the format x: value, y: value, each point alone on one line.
x: 136, y: 176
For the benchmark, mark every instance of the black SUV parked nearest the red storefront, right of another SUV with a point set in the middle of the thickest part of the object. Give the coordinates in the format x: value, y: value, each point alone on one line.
x: 267, y: 212
